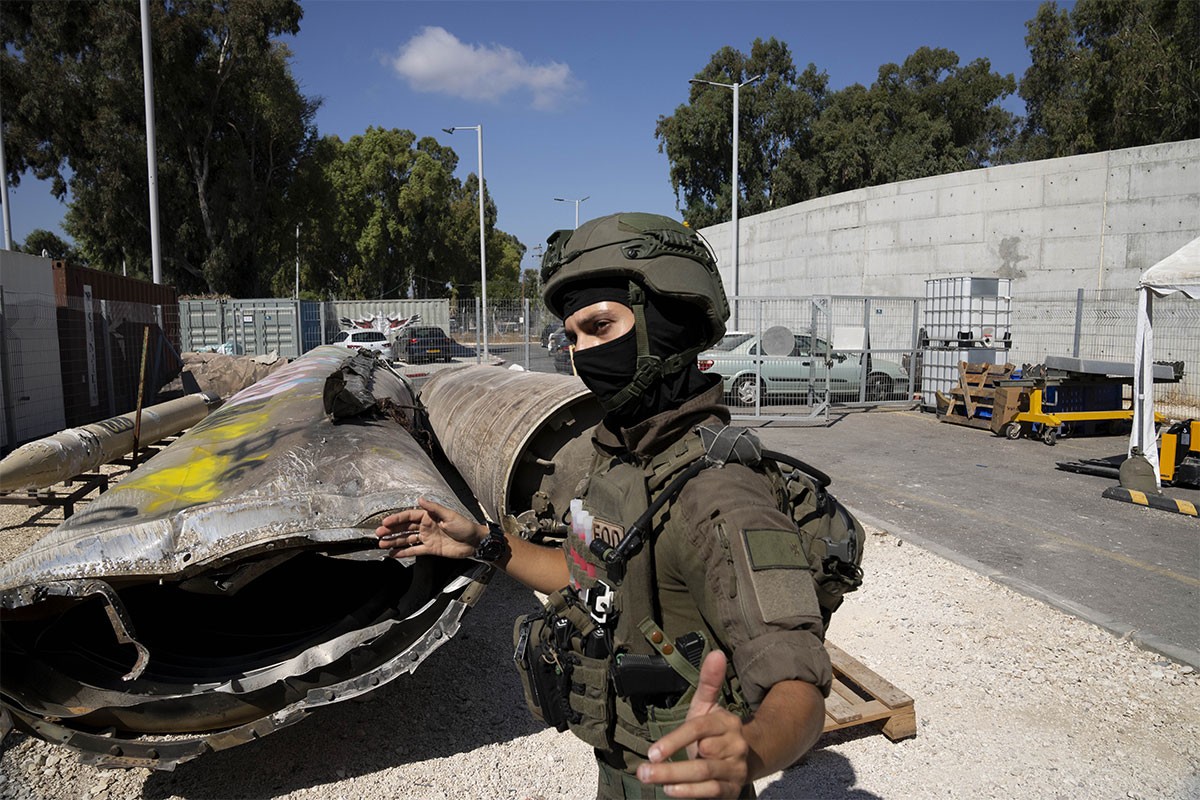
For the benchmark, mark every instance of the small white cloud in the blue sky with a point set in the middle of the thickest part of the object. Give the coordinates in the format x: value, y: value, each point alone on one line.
x: 435, y: 61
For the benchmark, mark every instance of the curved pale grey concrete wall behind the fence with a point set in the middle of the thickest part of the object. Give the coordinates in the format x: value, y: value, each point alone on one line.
x: 1091, y: 222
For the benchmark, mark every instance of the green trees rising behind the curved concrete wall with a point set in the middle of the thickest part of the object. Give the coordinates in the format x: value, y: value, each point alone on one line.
x: 1103, y: 76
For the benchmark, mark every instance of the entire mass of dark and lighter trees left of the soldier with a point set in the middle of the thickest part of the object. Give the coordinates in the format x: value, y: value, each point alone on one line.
x: 247, y: 187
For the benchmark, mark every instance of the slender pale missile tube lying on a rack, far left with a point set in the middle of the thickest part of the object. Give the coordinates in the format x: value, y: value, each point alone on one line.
x: 62, y: 456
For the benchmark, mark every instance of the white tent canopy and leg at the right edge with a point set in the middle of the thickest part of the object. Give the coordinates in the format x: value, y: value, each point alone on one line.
x: 1180, y: 272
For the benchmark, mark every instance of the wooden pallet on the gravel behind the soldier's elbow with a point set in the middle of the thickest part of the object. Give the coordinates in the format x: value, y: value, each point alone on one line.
x: 861, y: 696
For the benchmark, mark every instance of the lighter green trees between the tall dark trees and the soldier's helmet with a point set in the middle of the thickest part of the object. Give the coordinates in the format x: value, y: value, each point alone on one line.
x: 383, y: 215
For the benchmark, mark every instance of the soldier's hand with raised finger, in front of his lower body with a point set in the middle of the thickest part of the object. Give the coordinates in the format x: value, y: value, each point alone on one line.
x: 717, y: 748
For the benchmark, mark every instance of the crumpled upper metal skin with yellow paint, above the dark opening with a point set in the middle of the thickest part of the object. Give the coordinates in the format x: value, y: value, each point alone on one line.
x: 268, y: 468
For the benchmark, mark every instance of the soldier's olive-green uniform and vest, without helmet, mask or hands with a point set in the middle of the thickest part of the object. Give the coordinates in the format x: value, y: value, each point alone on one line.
x: 722, y: 561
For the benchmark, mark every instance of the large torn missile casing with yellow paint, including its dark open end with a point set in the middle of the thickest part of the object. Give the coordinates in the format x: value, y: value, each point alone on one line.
x: 232, y: 584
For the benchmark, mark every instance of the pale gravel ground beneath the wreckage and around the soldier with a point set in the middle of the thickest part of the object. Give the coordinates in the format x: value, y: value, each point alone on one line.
x: 1015, y: 700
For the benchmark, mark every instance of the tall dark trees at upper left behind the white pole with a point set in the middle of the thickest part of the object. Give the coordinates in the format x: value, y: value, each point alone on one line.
x: 232, y: 128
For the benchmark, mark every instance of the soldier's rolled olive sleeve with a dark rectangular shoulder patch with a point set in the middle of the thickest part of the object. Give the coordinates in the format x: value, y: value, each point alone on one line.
x: 752, y: 581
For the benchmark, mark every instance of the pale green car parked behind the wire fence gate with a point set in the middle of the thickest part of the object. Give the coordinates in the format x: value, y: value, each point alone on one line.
x: 741, y: 363
